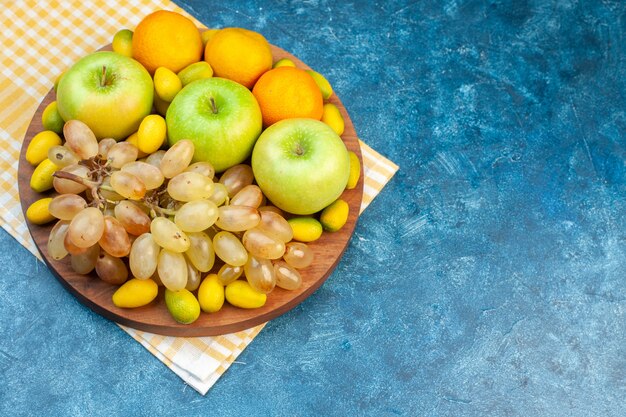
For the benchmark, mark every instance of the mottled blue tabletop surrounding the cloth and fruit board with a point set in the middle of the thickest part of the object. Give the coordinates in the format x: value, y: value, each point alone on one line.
x: 486, y: 279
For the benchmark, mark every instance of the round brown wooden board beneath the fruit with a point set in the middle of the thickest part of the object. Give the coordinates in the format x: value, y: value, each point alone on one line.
x: 155, y: 318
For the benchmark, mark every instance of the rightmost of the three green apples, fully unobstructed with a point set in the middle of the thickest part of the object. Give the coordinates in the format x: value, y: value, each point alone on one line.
x: 301, y: 165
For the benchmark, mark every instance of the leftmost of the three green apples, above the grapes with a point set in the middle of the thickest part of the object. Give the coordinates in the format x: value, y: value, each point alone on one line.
x: 109, y: 92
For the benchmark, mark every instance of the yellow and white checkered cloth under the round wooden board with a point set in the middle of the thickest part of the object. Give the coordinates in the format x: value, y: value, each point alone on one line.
x: 40, y: 40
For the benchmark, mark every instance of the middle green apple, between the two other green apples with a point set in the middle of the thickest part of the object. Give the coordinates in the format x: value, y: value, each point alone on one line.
x: 221, y: 117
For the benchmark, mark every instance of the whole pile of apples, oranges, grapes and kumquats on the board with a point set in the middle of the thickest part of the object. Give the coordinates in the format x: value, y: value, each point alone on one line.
x: 185, y: 159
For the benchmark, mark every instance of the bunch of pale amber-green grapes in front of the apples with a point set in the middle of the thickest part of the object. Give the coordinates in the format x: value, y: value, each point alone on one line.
x: 160, y: 217
